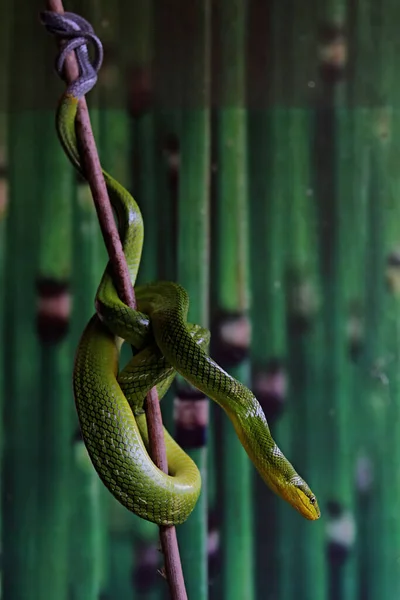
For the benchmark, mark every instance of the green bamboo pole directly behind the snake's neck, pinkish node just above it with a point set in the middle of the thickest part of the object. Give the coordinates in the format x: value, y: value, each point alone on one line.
x: 267, y: 168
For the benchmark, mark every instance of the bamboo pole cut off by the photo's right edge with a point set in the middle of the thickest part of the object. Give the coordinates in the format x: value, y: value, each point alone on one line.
x: 385, y: 206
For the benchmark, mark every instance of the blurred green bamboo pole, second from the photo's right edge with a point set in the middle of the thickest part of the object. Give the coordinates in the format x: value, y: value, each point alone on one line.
x: 369, y: 395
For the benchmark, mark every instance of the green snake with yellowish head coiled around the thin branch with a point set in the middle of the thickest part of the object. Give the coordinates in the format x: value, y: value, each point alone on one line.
x: 109, y: 403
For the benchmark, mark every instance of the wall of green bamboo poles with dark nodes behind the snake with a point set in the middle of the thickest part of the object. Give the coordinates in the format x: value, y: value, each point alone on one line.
x: 261, y: 142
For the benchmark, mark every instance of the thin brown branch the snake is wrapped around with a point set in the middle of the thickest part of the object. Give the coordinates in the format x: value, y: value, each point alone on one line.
x: 116, y: 255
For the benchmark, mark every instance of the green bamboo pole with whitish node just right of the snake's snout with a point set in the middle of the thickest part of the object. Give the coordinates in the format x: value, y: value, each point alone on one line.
x: 333, y: 189
